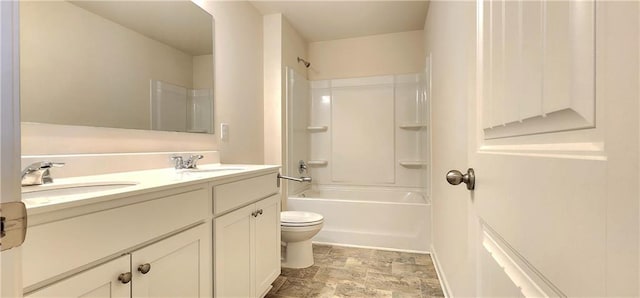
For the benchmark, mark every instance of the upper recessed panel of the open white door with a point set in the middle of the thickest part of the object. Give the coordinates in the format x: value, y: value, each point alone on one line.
x: 538, y: 66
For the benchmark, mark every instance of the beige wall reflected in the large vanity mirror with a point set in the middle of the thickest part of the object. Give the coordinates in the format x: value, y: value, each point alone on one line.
x: 110, y: 67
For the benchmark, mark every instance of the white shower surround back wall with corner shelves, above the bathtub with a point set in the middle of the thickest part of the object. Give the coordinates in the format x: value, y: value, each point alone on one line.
x: 369, y: 132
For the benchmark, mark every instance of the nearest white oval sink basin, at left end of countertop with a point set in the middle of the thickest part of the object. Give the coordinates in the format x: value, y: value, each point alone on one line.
x: 68, y: 189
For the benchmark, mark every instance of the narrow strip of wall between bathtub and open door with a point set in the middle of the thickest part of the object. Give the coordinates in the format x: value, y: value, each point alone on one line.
x: 449, y: 39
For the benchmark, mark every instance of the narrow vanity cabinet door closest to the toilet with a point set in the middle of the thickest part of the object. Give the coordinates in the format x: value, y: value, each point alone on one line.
x: 267, y: 243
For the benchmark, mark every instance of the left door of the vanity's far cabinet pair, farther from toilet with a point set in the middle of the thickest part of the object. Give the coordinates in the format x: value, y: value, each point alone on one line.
x: 233, y: 254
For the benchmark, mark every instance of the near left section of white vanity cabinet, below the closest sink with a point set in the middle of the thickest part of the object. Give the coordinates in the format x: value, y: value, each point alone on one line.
x: 156, y: 244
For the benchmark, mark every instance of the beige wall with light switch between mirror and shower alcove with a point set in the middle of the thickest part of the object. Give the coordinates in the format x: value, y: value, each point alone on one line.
x: 238, y: 73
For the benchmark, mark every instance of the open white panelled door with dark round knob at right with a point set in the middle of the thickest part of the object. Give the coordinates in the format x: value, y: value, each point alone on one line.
x: 554, y: 144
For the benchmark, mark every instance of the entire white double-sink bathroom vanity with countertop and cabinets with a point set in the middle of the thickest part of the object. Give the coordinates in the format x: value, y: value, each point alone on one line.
x: 210, y: 232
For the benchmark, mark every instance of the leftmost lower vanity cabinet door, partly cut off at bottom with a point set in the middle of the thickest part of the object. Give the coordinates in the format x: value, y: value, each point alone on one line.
x: 98, y: 282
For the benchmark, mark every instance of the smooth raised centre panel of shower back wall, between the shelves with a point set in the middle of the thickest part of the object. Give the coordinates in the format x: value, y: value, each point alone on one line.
x: 362, y: 146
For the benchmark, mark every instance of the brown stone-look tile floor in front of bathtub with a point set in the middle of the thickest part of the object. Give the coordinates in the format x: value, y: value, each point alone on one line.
x: 357, y: 272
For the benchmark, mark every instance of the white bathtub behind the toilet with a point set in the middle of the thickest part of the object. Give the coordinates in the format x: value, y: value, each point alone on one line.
x: 398, y: 220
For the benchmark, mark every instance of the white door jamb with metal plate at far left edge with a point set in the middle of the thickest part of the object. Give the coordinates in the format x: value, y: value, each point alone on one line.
x: 10, y: 260
